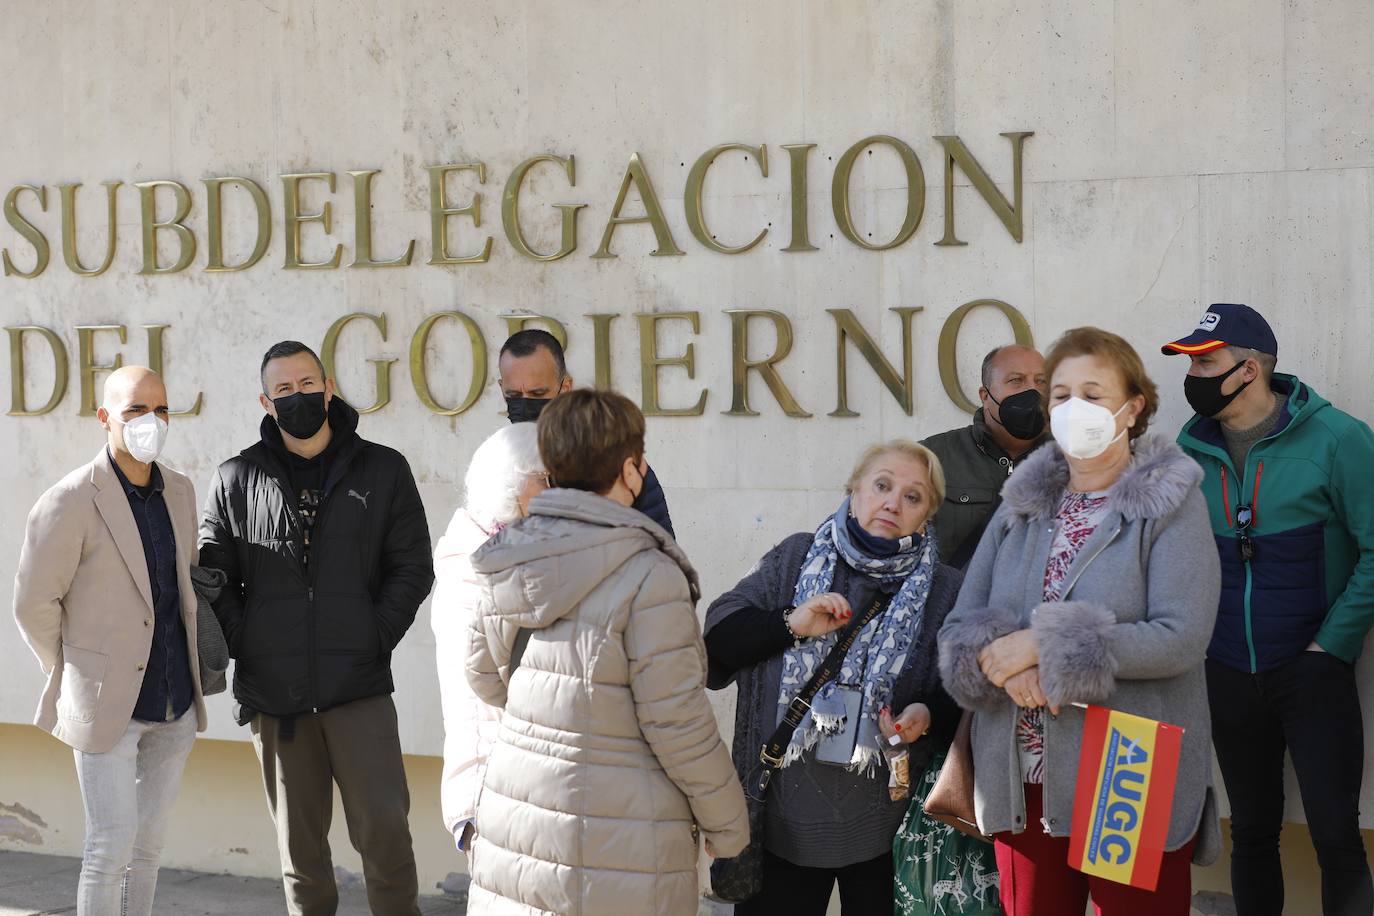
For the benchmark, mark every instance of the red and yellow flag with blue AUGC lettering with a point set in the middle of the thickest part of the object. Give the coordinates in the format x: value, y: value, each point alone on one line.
x: 1126, y: 792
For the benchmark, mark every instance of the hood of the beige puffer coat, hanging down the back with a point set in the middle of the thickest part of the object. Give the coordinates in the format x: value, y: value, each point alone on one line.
x: 542, y: 568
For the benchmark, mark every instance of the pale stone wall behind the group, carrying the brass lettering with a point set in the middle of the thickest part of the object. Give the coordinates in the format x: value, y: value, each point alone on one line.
x: 1182, y: 154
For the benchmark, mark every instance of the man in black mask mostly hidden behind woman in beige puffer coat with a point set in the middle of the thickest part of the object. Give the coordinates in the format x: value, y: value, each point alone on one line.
x: 532, y: 374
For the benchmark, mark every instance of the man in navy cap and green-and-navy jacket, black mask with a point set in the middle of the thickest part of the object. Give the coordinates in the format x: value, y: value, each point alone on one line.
x: 1289, y: 490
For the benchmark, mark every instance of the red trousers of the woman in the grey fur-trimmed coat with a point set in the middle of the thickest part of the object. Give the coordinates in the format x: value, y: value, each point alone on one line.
x: 1037, y: 878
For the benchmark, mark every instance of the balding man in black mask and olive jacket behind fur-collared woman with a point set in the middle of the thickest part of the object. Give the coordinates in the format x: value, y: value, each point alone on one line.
x: 978, y: 459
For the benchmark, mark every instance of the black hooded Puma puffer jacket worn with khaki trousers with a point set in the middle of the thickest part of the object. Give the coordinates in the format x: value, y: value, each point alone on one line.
x: 319, y: 637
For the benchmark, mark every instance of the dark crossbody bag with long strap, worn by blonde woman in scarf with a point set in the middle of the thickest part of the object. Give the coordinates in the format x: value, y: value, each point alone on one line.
x: 740, y: 878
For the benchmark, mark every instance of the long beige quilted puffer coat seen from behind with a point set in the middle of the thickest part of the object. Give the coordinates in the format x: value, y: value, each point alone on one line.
x: 609, y: 751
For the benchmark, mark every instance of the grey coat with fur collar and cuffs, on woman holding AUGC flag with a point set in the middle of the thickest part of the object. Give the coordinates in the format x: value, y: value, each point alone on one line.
x: 1131, y: 632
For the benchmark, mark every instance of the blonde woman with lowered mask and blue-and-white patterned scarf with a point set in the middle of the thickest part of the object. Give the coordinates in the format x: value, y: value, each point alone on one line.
x: 829, y: 815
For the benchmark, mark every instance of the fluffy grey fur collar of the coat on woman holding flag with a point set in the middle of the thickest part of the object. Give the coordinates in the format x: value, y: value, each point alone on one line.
x: 1153, y: 485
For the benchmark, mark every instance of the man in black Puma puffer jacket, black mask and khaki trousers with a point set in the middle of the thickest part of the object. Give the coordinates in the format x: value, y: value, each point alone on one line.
x: 326, y: 547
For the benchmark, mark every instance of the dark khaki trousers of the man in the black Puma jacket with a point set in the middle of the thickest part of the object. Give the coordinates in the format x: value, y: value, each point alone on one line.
x: 358, y: 748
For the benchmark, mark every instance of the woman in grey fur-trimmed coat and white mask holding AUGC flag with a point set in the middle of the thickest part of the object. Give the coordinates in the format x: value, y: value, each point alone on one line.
x: 1097, y: 583
